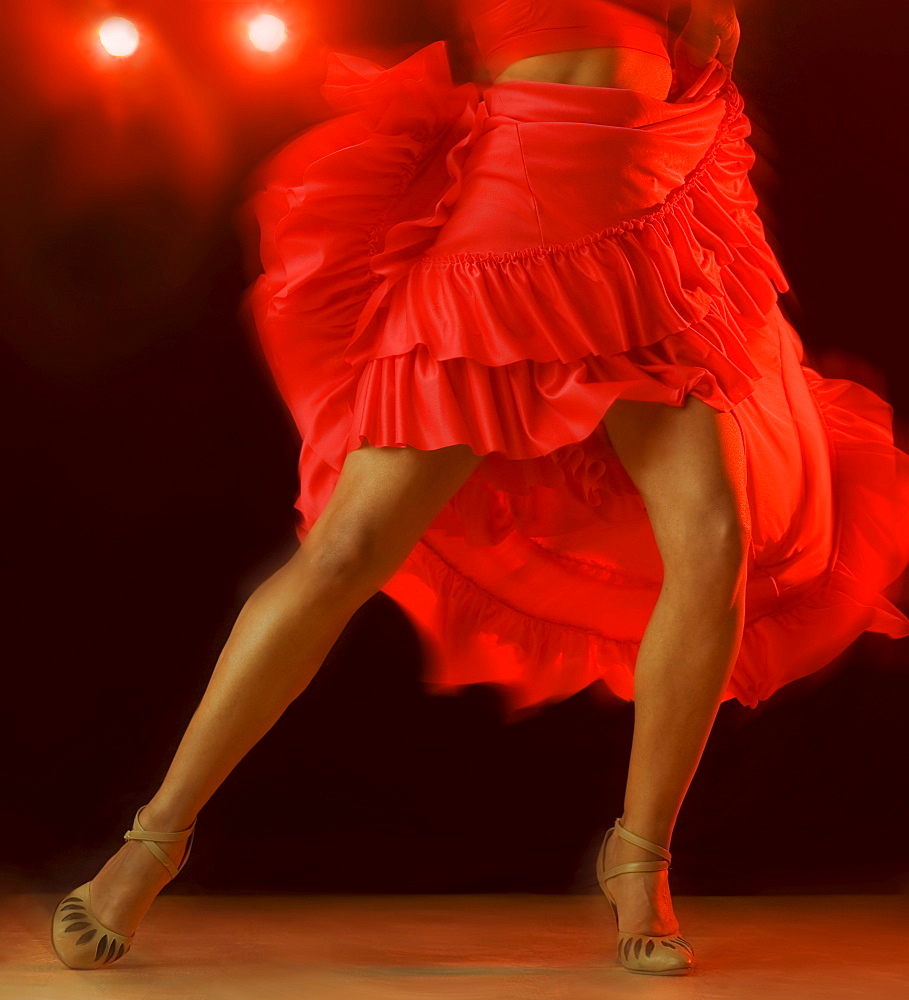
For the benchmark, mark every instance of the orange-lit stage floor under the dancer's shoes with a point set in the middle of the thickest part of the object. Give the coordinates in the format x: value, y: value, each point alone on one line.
x: 476, y: 947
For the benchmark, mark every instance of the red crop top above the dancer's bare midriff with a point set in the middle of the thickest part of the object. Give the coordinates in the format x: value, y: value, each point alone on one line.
x: 508, y: 30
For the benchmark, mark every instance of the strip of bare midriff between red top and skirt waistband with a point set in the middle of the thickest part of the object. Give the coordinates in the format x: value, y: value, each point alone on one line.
x: 630, y: 69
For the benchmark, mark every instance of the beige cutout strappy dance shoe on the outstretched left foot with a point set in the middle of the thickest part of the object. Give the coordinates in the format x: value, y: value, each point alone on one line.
x: 79, y: 939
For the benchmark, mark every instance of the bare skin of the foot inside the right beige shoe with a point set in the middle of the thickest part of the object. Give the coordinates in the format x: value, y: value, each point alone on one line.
x: 642, y: 898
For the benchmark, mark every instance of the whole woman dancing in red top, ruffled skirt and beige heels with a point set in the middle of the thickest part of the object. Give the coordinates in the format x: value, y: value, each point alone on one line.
x: 549, y: 403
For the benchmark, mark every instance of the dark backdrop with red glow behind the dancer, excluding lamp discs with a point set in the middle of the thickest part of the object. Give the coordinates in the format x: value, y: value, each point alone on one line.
x: 150, y: 474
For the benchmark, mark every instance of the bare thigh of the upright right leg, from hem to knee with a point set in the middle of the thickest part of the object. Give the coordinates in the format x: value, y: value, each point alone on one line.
x: 687, y: 462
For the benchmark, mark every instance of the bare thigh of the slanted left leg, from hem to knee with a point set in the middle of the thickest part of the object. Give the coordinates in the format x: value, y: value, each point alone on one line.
x: 389, y: 496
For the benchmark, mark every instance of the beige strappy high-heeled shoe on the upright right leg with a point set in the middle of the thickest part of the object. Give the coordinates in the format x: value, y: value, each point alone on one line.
x: 662, y: 955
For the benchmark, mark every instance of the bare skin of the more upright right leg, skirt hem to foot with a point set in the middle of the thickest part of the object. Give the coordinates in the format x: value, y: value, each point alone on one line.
x: 688, y: 465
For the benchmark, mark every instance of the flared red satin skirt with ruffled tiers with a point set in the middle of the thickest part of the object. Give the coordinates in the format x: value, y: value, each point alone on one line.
x: 448, y: 267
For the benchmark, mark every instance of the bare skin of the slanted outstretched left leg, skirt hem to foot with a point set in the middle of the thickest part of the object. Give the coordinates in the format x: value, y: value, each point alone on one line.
x: 384, y: 500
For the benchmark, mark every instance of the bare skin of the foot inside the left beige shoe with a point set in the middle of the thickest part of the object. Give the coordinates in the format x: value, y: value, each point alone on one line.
x: 127, y: 885
